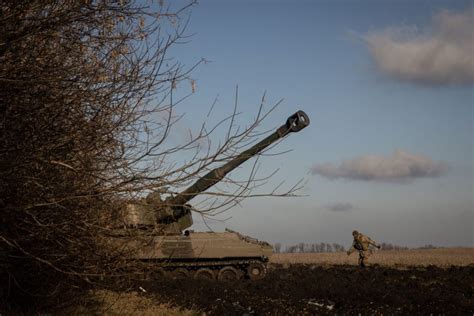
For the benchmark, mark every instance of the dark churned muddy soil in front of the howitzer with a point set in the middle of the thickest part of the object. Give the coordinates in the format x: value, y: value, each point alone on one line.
x: 307, y: 289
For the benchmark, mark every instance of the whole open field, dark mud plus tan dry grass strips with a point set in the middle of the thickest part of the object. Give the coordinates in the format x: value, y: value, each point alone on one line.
x: 399, y: 283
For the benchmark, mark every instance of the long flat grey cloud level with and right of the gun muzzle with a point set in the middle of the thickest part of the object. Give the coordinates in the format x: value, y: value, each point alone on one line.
x: 401, y: 166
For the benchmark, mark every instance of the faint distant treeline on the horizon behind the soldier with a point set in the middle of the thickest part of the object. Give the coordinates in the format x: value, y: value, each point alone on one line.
x: 334, y: 247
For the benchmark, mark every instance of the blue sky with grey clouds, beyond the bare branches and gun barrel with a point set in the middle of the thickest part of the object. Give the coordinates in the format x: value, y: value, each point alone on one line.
x: 357, y: 68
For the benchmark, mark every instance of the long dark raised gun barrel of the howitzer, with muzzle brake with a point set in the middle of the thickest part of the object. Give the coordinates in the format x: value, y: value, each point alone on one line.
x: 293, y: 124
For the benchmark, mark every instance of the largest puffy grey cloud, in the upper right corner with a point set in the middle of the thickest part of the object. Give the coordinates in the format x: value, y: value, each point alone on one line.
x: 444, y: 55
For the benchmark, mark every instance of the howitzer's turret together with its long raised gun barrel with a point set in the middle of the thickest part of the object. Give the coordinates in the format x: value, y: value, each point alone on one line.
x: 173, y: 215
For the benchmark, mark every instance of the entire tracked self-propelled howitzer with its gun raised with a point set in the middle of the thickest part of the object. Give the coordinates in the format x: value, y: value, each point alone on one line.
x: 226, y: 255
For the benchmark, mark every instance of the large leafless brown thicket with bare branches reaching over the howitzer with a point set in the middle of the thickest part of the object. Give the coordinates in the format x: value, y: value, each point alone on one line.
x: 87, y: 106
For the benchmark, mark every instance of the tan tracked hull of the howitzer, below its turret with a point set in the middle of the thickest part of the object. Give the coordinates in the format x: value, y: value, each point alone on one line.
x: 223, y: 255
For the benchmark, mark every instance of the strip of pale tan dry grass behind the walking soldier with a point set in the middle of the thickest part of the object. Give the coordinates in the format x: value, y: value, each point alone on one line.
x: 442, y: 257
